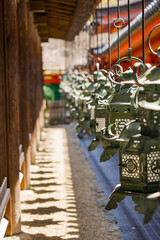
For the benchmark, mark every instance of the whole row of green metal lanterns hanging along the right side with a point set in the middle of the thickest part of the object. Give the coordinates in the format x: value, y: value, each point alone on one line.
x: 121, y: 108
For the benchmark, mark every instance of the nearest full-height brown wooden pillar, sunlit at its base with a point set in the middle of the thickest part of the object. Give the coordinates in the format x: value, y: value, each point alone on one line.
x: 12, y: 100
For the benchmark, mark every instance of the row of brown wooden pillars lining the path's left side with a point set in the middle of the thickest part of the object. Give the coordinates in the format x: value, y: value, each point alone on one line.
x: 21, y: 101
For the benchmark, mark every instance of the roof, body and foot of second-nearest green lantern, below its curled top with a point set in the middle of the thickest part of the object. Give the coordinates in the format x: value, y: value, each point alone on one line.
x: 119, y: 112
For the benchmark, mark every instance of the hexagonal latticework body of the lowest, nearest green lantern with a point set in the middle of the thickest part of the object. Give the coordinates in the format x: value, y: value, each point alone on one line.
x: 139, y: 172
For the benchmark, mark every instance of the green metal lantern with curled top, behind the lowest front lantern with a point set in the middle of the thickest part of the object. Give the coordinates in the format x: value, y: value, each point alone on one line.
x: 120, y: 110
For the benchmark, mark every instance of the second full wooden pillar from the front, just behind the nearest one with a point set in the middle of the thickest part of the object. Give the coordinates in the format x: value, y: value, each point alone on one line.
x: 24, y: 87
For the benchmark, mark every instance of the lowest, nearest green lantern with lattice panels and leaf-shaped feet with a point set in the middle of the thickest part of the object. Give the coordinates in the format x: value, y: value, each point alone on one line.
x: 139, y: 166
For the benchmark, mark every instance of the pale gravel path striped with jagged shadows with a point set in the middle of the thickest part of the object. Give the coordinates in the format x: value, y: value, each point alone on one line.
x: 65, y: 200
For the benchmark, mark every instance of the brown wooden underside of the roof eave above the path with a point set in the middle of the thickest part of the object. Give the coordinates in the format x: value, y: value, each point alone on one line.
x: 61, y: 19
